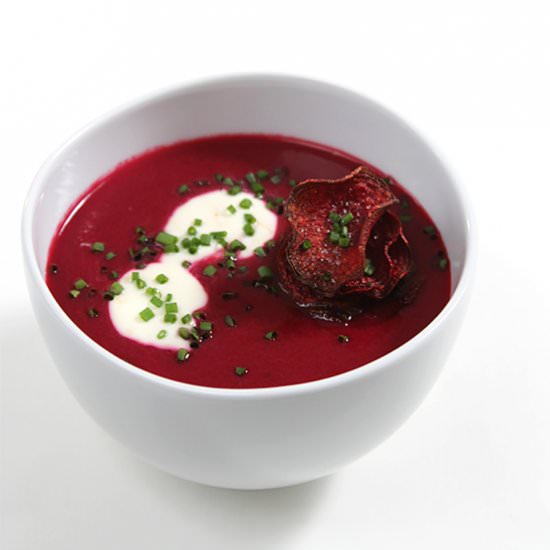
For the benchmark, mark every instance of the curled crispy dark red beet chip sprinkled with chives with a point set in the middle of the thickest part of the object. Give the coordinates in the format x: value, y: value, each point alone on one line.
x: 343, y: 239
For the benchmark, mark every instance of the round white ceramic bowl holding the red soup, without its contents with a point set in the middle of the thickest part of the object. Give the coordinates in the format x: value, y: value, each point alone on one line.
x: 256, y: 438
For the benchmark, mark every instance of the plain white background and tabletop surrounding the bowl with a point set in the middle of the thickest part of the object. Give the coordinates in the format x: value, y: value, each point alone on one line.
x: 471, y: 469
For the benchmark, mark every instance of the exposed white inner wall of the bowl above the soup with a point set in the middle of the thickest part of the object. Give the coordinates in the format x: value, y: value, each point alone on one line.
x: 278, y: 105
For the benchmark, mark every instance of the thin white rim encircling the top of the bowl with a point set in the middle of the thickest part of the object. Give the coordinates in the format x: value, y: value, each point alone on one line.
x: 259, y: 79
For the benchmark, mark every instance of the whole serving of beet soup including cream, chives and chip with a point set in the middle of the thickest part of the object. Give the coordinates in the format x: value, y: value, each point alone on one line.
x: 183, y: 262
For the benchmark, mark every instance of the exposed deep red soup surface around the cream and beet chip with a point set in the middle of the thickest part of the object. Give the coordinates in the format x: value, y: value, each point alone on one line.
x: 268, y: 340
